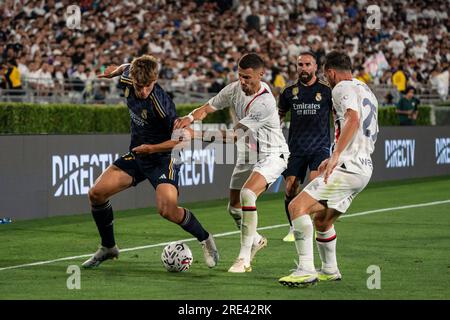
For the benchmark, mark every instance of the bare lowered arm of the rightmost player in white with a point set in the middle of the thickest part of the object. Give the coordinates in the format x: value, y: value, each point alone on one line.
x: 349, y: 130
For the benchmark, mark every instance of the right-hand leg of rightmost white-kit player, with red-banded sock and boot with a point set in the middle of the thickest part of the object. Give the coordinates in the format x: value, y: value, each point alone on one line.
x: 326, y: 244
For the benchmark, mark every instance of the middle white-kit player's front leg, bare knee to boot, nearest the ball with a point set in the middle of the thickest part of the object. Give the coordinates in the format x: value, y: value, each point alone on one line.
x: 253, y: 187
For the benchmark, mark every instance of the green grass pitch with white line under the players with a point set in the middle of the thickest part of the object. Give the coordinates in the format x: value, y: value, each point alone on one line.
x: 411, y: 247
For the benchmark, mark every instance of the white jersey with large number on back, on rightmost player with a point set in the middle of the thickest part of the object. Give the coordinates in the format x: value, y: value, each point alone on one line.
x: 356, y: 95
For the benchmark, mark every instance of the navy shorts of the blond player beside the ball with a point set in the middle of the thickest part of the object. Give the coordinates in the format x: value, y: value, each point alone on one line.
x: 157, y: 170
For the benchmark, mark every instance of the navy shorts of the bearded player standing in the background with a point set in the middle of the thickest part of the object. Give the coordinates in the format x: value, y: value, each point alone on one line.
x: 298, y: 165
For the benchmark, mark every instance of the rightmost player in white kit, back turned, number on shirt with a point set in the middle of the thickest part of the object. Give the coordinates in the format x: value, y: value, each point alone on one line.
x: 342, y: 176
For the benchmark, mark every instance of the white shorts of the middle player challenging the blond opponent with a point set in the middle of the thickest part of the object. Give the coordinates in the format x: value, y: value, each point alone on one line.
x: 270, y: 168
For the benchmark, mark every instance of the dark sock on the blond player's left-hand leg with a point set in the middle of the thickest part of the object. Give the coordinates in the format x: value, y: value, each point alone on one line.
x: 104, y: 219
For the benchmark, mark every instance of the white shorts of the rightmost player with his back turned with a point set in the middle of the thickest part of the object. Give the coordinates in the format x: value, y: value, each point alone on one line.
x: 340, y: 190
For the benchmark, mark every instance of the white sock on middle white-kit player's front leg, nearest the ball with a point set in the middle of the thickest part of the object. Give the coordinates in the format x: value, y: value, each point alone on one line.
x: 249, y: 223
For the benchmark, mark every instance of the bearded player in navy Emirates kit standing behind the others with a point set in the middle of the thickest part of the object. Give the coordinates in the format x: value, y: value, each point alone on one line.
x: 309, y: 101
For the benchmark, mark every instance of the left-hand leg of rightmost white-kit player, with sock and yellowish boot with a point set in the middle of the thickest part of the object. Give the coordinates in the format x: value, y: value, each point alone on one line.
x: 300, y: 209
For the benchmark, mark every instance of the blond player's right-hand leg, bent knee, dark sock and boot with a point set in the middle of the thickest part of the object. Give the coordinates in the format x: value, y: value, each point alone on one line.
x: 167, y: 204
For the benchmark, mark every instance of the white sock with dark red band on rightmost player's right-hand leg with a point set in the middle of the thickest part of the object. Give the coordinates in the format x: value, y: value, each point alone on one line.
x: 326, y: 244
